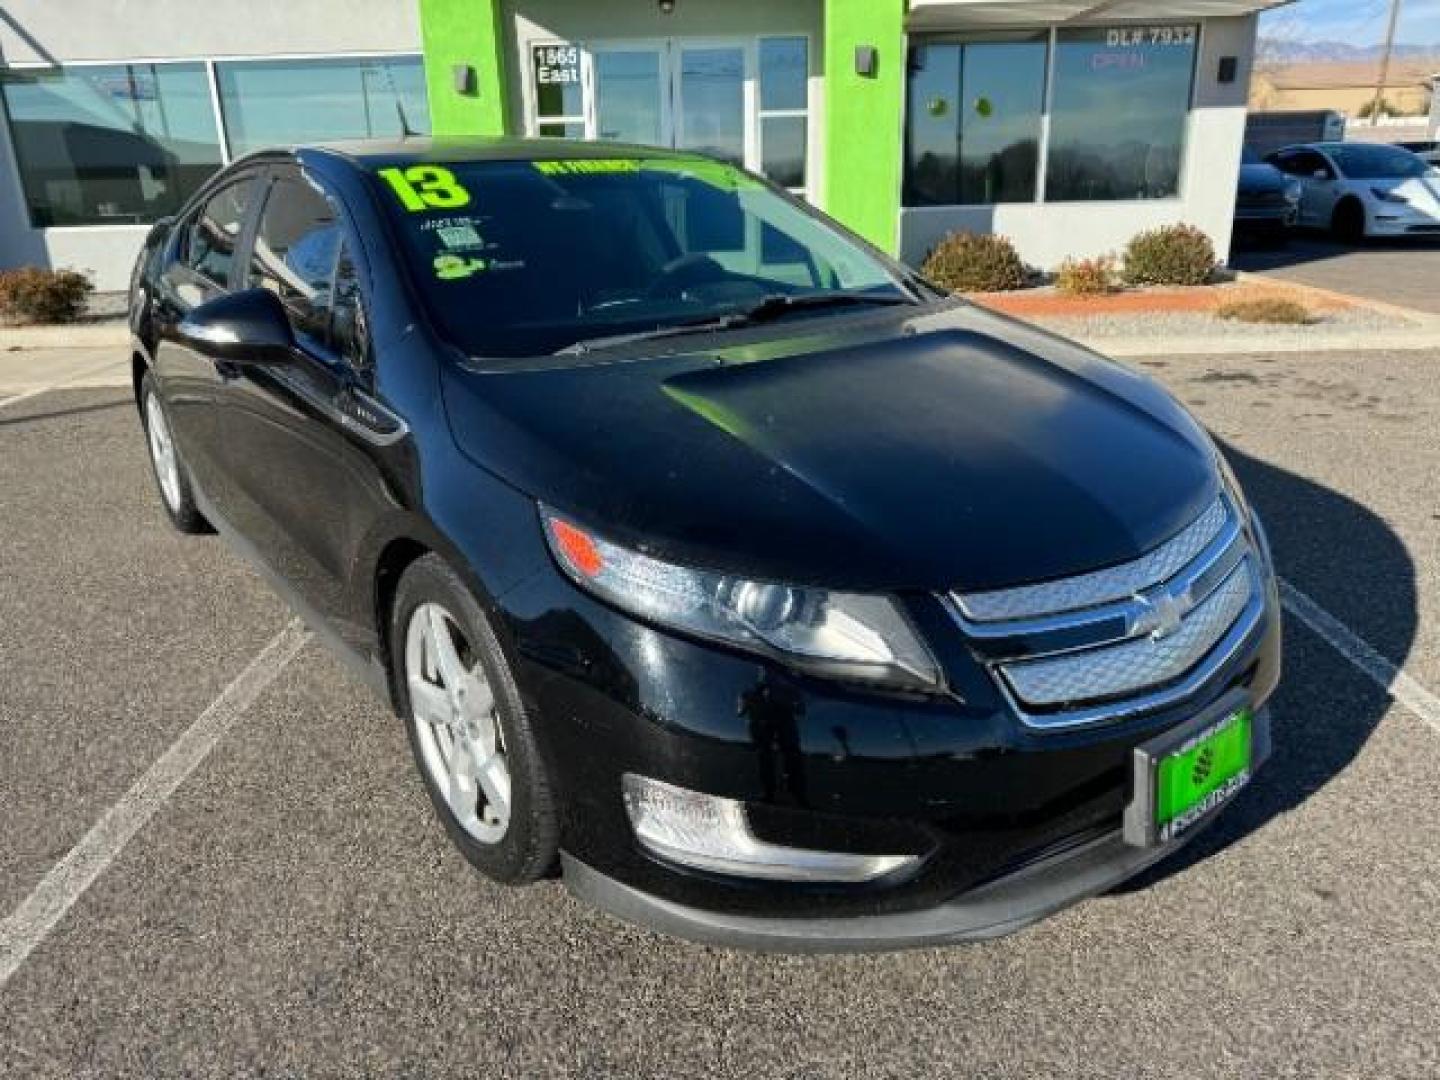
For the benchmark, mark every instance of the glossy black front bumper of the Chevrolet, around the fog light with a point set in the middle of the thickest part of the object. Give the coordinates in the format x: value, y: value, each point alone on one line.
x: 1012, y: 822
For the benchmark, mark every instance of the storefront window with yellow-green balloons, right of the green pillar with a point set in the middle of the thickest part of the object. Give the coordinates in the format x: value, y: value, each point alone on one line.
x: 973, y: 132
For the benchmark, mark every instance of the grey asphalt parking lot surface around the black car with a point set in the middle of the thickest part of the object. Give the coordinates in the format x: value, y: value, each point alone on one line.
x: 294, y: 911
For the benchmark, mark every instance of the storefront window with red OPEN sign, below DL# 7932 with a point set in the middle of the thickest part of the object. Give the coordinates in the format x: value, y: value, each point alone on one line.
x: 1120, y: 113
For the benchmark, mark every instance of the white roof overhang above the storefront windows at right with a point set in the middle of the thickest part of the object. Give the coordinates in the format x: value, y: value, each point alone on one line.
x: 950, y: 15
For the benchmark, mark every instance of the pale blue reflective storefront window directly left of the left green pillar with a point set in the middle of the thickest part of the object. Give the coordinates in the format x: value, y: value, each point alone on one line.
x: 282, y: 103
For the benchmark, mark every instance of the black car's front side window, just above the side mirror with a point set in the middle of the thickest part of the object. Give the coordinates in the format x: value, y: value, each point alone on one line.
x: 294, y: 253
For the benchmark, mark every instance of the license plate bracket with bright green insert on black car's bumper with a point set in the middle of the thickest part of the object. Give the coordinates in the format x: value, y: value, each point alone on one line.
x: 1184, y: 777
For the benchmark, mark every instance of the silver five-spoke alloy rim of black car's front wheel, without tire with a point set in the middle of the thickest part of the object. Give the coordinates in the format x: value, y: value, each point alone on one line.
x: 453, y: 708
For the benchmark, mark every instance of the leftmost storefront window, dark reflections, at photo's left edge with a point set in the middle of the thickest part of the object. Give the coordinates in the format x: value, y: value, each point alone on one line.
x: 112, y: 145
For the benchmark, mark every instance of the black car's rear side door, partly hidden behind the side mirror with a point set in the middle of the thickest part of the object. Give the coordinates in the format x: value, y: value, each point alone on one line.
x: 199, y: 264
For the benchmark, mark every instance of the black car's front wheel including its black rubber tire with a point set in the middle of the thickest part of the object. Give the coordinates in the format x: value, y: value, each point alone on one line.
x: 469, y: 729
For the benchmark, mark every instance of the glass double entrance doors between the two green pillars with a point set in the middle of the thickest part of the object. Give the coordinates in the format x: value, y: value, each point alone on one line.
x: 682, y: 94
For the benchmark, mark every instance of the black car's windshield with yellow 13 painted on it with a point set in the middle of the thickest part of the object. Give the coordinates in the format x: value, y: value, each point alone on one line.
x: 526, y: 258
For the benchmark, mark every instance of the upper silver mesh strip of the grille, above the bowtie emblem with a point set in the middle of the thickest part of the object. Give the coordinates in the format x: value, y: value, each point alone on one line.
x: 1099, y: 587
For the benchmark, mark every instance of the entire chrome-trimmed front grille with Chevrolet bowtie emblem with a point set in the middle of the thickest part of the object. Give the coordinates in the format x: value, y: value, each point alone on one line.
x: 1125, y: 640
